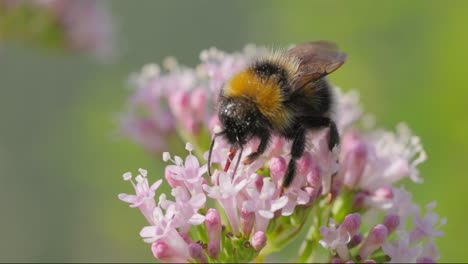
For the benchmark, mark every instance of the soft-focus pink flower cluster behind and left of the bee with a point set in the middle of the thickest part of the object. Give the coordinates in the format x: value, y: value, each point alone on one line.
x: 178, y: 99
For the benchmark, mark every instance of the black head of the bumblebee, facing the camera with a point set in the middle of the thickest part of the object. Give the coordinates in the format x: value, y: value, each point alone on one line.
x: 239, y: 118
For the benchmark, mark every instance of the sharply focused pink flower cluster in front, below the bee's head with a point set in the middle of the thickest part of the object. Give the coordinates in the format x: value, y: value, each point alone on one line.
x: 248, y: 201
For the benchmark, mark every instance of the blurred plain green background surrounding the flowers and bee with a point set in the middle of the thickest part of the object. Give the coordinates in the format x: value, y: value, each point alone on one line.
x: 61, y: 161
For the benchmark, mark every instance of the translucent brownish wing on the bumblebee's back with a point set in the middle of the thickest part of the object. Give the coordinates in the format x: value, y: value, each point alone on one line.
x: 317, y: 59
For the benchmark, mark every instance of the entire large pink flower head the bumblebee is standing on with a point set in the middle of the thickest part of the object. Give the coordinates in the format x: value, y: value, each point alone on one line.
x: 348, y: 197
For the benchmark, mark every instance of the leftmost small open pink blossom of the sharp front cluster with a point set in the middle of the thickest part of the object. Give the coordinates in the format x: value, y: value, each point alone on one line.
x: 144, y: 197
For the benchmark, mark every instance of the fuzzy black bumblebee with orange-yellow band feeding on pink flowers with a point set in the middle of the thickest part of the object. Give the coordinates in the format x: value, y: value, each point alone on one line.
x: 283, y: 93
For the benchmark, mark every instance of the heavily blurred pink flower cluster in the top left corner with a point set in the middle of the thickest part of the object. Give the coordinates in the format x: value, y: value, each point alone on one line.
x: 85, y: 25
